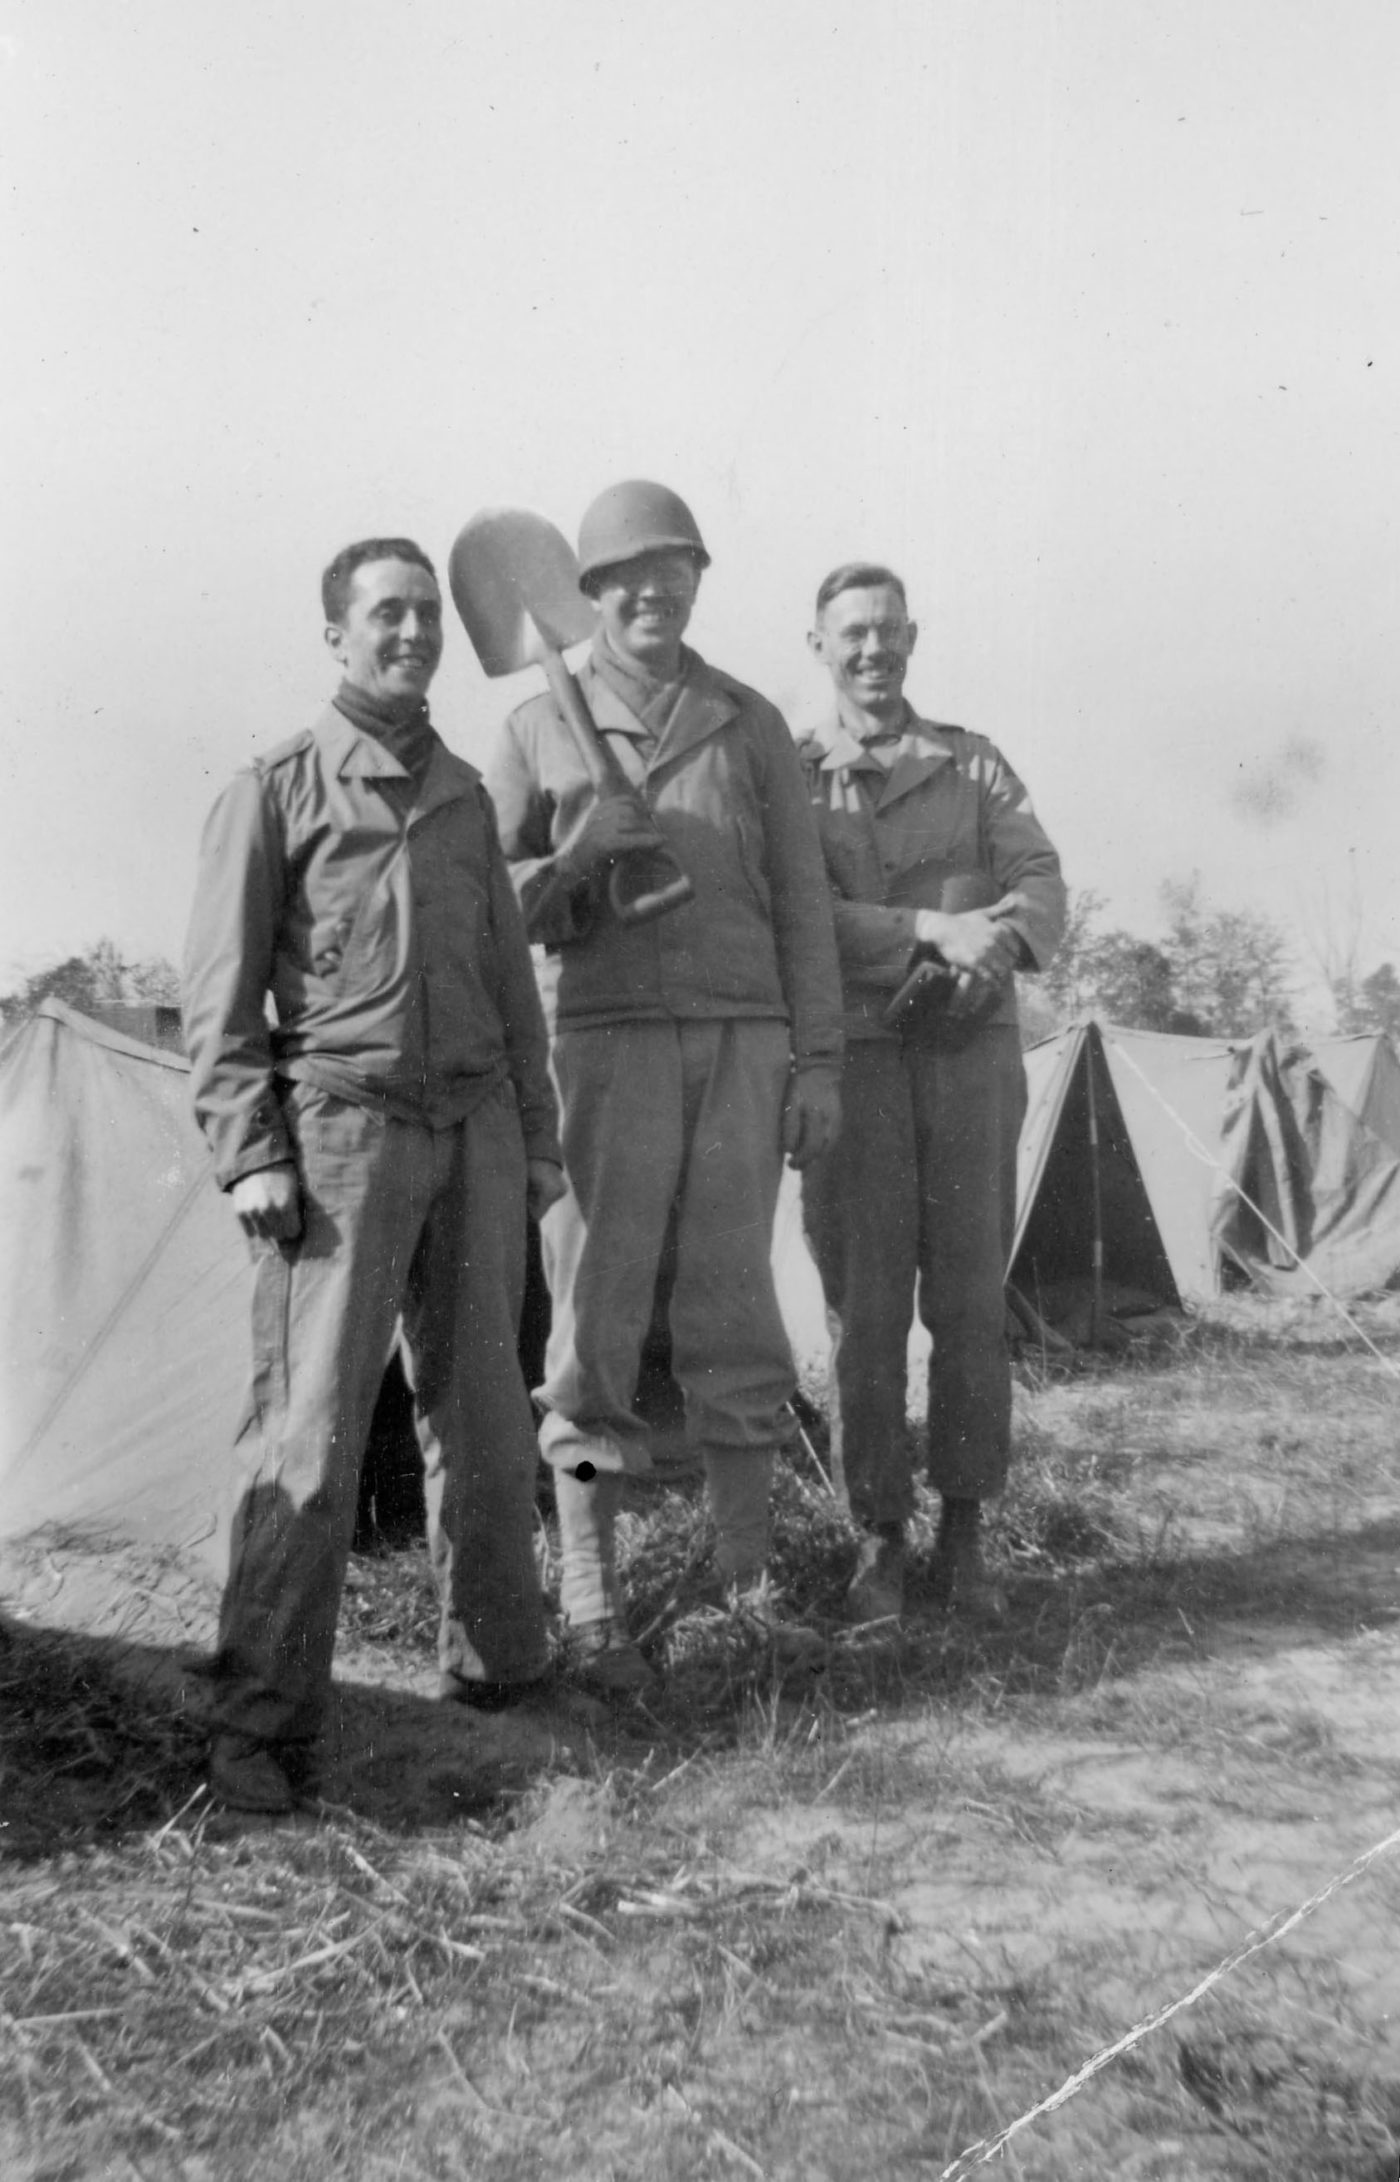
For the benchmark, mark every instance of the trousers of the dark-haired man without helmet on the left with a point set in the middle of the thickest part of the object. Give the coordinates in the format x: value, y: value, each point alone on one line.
x: 418, y: 1230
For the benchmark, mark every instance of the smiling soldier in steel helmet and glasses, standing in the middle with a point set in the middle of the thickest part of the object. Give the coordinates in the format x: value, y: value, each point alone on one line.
x: 690, y: 1053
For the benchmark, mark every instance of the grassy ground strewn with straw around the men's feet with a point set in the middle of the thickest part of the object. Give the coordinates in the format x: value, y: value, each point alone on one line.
x: 821, y: 1934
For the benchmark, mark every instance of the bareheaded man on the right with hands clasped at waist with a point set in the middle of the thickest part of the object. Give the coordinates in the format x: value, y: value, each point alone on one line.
x: 932, y: 850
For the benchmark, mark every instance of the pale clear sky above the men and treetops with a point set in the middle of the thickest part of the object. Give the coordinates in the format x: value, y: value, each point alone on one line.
x: 1083, y: 317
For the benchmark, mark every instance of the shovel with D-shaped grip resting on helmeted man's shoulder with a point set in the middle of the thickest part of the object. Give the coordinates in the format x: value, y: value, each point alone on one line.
x: 516, y: 586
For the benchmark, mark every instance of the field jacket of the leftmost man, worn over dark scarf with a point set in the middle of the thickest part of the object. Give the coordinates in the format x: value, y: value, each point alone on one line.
x: 385, y: 928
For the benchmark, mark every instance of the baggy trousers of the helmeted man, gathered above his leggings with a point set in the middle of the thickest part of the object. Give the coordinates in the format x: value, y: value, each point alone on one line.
x: 666, y: 1123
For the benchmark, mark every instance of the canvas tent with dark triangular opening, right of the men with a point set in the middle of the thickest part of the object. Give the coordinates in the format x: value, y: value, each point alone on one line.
x: 1166, y: 1153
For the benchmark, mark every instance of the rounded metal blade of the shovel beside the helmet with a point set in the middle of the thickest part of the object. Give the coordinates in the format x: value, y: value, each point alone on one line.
x: 516, y: 586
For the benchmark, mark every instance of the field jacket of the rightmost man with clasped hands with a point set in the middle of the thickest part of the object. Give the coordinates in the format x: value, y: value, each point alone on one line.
x: 948, y: 806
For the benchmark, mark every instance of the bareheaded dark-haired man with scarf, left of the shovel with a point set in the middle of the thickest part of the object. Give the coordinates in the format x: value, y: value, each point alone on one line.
x: 378, y: 1140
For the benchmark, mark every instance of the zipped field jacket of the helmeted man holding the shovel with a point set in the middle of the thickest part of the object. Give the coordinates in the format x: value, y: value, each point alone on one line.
x: 727, y: 791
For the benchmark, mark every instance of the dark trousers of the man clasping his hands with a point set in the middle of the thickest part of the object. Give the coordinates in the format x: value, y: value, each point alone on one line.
x: 915, y: 1208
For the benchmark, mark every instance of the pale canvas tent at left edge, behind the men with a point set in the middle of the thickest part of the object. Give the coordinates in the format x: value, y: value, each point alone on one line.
x: 125, y: 1299
